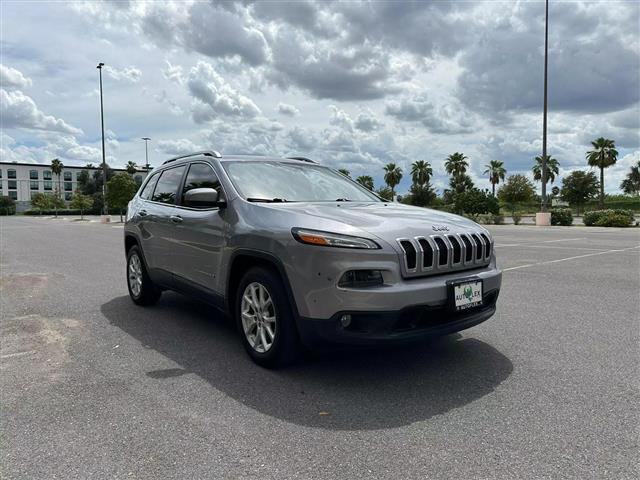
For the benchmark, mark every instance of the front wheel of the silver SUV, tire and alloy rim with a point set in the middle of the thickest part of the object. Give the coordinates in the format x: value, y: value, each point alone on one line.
x: 284, y: 347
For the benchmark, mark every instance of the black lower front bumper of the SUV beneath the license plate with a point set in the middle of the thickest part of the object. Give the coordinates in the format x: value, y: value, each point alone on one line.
x: 412, y: 323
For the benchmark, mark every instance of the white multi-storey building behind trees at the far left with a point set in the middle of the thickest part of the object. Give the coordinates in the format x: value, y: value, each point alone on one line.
x: 20, y: 181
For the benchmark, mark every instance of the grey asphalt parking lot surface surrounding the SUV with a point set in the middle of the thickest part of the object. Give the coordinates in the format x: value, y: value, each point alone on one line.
x: 93, y: 386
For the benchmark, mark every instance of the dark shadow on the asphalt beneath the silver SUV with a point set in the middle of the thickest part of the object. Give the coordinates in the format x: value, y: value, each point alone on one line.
x: 357, y: 390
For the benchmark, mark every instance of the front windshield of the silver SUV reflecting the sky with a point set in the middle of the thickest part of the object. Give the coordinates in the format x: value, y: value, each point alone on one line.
x: 289, y: 182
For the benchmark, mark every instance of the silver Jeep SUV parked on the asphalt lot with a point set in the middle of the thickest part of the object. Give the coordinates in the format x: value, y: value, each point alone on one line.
x: 299, y: 254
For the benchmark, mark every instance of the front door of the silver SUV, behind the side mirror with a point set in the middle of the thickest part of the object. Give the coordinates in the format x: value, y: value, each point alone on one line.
x: 199, y: 233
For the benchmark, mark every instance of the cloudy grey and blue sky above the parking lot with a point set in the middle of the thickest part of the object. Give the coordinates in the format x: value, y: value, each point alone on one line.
x: 351, y: 84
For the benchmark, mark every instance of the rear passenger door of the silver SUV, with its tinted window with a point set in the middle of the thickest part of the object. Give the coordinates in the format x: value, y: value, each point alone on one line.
x: 160, y: 225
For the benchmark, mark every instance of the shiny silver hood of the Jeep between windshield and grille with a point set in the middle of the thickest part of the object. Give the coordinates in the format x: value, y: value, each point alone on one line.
x: 388, y: 221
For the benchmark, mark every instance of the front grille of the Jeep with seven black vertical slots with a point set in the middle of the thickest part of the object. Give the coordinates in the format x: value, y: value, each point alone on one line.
x: 433, y: 254
